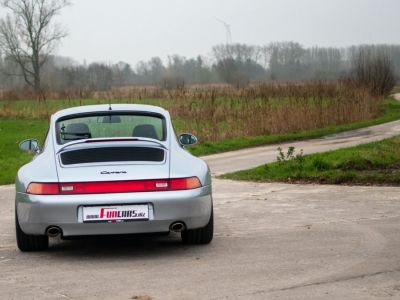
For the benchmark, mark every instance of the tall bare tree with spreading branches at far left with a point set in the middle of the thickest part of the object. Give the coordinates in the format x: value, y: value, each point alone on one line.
x: 28, y: 35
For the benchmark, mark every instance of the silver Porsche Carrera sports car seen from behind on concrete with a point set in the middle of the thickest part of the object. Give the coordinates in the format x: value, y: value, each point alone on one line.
x: 112, y: 169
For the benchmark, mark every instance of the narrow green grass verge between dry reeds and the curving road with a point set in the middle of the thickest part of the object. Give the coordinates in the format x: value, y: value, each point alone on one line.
x: 390, y: 111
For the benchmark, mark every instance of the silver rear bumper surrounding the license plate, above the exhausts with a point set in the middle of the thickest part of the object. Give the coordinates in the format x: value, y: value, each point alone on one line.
x: 37, y: 212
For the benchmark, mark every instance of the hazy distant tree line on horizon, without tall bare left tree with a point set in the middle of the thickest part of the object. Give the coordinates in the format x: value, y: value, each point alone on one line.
x: 236, y: 64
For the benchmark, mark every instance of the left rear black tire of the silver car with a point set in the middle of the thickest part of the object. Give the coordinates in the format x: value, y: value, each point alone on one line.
x: 27, y: 243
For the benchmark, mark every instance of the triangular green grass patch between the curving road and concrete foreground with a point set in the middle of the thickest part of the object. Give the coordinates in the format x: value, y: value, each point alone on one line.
x: 375, y: 163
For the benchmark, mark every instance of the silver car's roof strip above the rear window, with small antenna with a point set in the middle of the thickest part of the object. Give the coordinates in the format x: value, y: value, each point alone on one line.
x: 106, y: 108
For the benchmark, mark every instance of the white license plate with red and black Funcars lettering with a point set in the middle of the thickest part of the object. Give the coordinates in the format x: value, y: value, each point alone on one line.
x: 115, y: 213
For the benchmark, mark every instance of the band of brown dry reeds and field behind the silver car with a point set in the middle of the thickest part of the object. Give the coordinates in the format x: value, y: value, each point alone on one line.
x: 221, y: 112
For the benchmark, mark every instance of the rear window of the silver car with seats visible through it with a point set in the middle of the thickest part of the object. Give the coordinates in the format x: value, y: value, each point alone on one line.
x: 113, y: 125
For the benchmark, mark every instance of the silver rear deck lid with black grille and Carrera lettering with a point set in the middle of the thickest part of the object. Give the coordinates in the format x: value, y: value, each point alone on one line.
x: 112, y: 162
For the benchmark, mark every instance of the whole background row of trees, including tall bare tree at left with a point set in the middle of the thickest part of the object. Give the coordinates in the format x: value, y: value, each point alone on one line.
x: 29, y: 35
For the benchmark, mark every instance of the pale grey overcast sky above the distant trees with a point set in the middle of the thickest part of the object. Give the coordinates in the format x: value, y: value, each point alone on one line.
x: 132, y: 30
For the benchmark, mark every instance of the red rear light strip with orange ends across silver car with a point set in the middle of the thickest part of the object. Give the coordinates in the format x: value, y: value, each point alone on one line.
x: 102, y: 187
